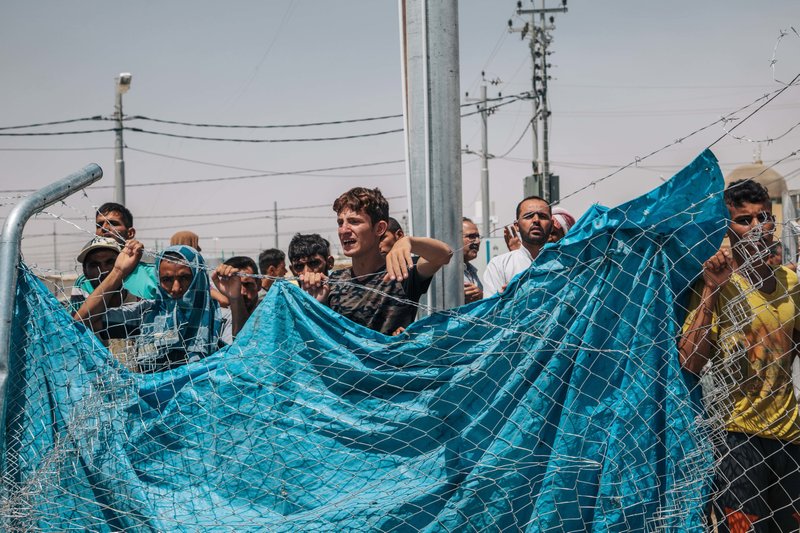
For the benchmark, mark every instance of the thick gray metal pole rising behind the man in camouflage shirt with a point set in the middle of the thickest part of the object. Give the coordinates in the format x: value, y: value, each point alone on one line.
x: 433, y: 134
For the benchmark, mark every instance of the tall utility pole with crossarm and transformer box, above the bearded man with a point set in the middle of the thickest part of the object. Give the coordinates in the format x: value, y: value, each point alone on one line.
x: 541, y: 182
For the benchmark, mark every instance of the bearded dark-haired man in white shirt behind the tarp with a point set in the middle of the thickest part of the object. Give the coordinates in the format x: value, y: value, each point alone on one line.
x: 533, y: 225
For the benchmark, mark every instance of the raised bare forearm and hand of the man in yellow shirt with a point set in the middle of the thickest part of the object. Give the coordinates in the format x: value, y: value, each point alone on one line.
x: 695, y: 345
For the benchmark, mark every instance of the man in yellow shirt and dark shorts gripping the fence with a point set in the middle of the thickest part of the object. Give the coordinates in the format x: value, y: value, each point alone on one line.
x: 745, y: 320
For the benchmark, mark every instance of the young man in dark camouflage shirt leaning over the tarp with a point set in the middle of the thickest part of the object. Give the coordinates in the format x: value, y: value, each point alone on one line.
x: 379, y: 292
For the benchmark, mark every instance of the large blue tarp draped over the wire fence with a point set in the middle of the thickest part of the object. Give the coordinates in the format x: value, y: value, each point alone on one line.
x: 559, y: 405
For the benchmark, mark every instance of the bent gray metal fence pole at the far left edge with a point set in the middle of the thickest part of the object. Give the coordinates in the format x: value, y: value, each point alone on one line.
x: 9, y: 259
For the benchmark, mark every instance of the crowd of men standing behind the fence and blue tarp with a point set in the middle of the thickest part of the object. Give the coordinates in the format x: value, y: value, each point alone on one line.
x: 170, y: 312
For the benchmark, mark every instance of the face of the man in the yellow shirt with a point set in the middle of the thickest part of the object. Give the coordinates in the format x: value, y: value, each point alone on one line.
x: 752, y: 229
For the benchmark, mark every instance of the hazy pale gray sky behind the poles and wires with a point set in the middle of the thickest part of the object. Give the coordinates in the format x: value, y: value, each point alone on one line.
x: 628, y: 77
